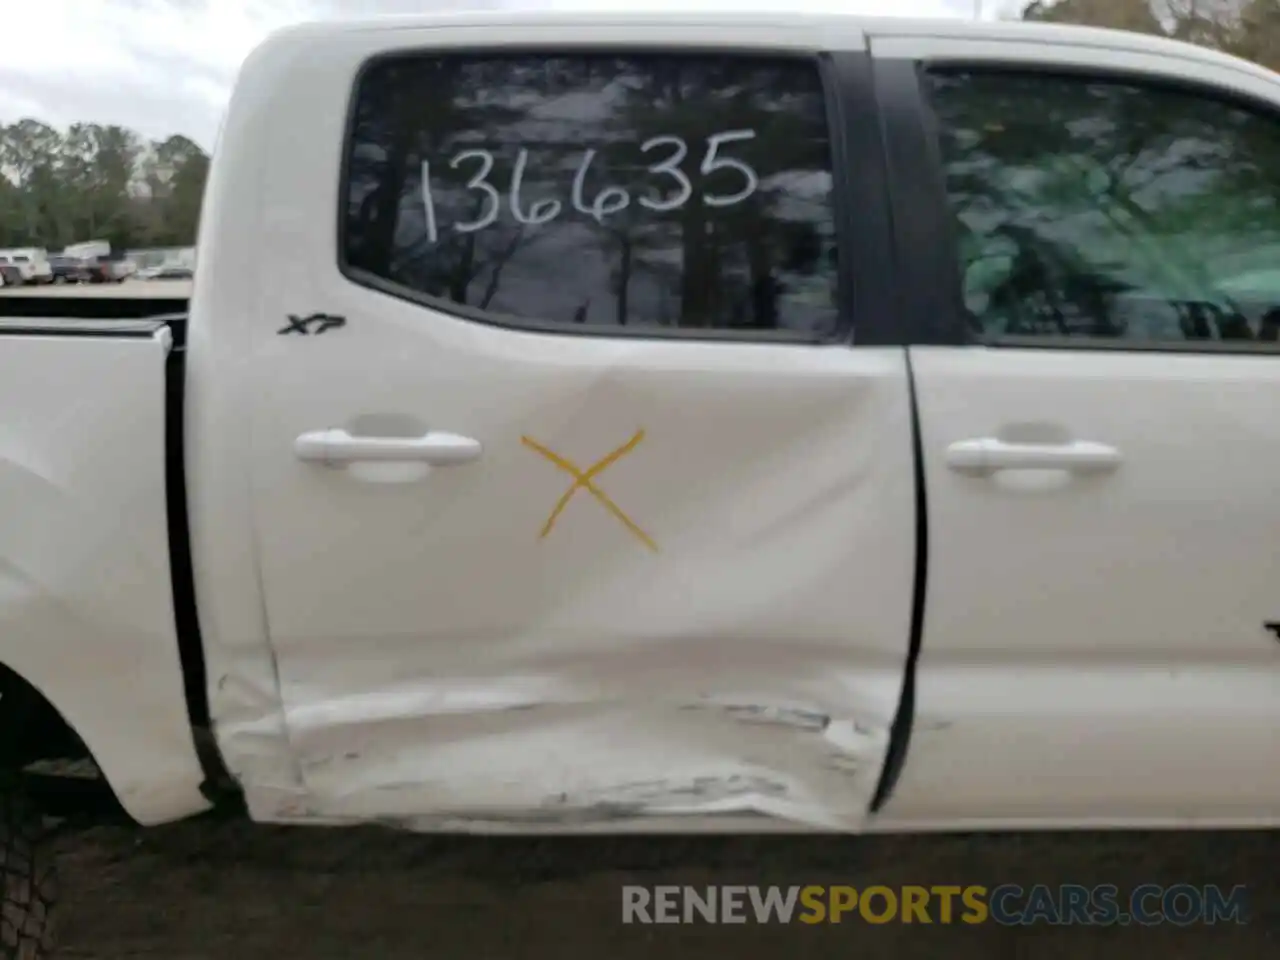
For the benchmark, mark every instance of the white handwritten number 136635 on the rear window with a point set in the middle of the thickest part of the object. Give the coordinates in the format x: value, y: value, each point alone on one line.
x: 609, y: 202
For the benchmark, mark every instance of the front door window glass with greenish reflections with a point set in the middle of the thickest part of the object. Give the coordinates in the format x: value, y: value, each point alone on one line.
x: 1112, y: 211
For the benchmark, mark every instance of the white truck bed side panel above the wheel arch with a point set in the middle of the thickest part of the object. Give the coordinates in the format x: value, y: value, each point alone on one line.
x: 86, y: 609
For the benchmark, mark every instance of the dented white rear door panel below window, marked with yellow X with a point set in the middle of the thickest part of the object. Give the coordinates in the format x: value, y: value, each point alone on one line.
x: 739, y: 652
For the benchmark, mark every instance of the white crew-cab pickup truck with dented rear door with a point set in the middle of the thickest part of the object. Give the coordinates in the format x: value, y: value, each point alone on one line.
x: 674, y: 423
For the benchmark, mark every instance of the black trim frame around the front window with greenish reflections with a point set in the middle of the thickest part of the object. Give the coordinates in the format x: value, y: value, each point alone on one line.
x: 922, y: 213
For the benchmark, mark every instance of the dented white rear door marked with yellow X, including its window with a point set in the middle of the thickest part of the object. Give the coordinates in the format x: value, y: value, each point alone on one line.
x: 583, y: 463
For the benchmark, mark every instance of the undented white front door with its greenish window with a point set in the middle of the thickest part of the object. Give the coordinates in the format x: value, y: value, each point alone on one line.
x: 1098, y: 385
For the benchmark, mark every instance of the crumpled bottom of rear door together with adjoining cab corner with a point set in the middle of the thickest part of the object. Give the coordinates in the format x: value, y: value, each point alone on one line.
x: 528, y: 755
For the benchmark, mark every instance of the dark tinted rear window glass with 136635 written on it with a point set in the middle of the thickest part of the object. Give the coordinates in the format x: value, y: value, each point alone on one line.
x: 643, y: 191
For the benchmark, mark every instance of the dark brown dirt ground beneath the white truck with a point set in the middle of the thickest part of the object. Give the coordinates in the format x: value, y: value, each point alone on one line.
x: 231, y: 892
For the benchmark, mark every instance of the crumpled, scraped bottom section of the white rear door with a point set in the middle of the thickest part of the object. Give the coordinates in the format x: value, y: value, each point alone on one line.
x: 545, y: 766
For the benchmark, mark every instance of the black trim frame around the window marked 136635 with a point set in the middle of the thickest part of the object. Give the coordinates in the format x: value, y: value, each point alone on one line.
x: 865, y: 264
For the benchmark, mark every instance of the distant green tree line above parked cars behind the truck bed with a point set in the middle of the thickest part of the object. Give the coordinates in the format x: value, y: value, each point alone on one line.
x: 98, y: 182
